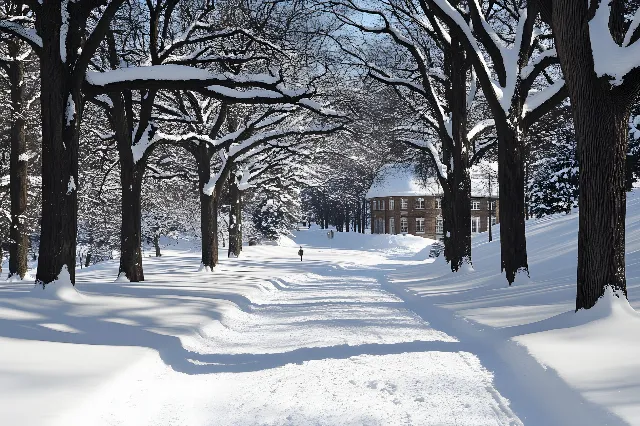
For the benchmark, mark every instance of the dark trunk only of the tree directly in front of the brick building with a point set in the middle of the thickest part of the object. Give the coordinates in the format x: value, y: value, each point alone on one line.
x: 456, y: 204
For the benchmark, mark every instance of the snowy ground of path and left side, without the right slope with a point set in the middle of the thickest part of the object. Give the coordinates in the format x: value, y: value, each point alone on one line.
x: 338, y: 339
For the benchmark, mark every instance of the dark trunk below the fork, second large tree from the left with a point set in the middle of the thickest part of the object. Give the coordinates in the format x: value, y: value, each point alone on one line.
x: 131, y: 224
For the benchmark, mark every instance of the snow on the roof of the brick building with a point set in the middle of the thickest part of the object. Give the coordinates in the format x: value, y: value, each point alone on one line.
x: 401, y: 180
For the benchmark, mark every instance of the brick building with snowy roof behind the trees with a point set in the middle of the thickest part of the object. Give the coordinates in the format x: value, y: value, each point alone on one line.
x: 403, y: 204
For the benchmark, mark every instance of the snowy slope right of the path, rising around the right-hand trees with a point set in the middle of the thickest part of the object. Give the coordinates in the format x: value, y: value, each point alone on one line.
x: 594, y: 353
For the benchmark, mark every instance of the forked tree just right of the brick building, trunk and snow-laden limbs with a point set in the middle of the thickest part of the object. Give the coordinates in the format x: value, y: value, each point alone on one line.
x: 502, y: 39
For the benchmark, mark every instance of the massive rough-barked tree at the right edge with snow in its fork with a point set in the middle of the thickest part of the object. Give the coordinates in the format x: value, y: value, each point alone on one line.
x: 598, y: 49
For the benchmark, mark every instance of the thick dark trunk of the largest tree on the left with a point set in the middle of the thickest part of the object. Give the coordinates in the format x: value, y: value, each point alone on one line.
x: 59, y: 152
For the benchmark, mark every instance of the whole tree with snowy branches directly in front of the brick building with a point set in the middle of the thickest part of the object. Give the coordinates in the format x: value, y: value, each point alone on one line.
x: 431, y: 76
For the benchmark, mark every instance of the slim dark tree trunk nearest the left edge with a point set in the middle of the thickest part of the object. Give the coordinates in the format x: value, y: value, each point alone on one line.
x: 18, y: 168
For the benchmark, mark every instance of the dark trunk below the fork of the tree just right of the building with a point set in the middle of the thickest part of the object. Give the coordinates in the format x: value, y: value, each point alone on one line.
x: 513, y: 242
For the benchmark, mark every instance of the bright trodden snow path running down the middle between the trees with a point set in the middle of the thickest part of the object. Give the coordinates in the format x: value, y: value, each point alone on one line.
x: 323, y: 346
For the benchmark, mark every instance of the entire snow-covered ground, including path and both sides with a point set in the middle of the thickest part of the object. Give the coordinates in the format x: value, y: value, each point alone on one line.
x: 365, y: 330
